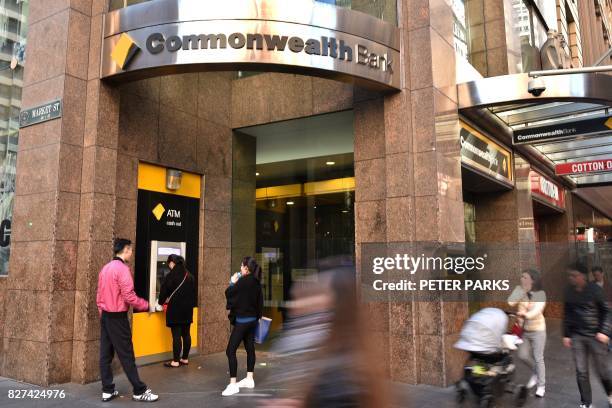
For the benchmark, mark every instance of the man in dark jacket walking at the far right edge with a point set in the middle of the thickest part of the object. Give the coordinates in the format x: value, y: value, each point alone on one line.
x: 587, y: 327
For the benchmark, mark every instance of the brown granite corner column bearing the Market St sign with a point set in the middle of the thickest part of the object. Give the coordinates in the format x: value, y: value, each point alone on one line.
x: 42, y: 283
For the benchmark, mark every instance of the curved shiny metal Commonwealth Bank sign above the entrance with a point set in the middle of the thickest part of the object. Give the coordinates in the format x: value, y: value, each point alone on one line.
x: 310, y: 38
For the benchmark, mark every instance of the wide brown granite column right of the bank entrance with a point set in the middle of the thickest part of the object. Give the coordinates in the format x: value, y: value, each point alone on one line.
x: 410, y: 140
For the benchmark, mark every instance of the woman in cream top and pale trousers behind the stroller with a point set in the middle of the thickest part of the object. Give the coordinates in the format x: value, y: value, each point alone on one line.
x: 530, y: 300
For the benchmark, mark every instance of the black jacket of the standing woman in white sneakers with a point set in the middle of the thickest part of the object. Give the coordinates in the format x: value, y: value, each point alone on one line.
x: 244, y: 298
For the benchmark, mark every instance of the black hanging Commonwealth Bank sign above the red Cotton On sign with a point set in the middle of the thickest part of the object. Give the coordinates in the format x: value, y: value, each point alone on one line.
x: 565, y: 130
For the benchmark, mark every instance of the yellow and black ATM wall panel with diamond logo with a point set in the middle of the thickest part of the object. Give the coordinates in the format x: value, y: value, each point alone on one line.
x: 167, y: 222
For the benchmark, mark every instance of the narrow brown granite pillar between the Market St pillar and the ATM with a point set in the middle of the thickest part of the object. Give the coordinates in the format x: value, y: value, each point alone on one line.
x: 97, y: 204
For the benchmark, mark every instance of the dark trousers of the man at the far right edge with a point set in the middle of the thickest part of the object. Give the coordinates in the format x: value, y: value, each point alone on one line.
x: 583, y: 348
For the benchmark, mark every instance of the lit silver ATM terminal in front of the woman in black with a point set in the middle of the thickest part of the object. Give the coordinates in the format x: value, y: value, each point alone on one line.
x: 160, y: 250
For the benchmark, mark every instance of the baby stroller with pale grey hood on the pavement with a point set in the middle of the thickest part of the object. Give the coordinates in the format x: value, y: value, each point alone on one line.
x: 489, y: 371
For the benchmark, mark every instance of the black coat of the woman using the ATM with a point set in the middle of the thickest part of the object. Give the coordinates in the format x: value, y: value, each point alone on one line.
x: 180, y: 307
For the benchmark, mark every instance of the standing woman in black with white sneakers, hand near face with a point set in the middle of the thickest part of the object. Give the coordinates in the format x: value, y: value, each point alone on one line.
x: 245, y: 303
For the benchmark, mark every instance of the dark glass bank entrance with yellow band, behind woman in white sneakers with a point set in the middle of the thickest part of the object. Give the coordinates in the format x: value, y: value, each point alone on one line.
x: 294, y: 192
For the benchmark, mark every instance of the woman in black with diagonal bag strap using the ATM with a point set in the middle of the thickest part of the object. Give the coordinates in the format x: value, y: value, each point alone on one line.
x: 178, y: 293
